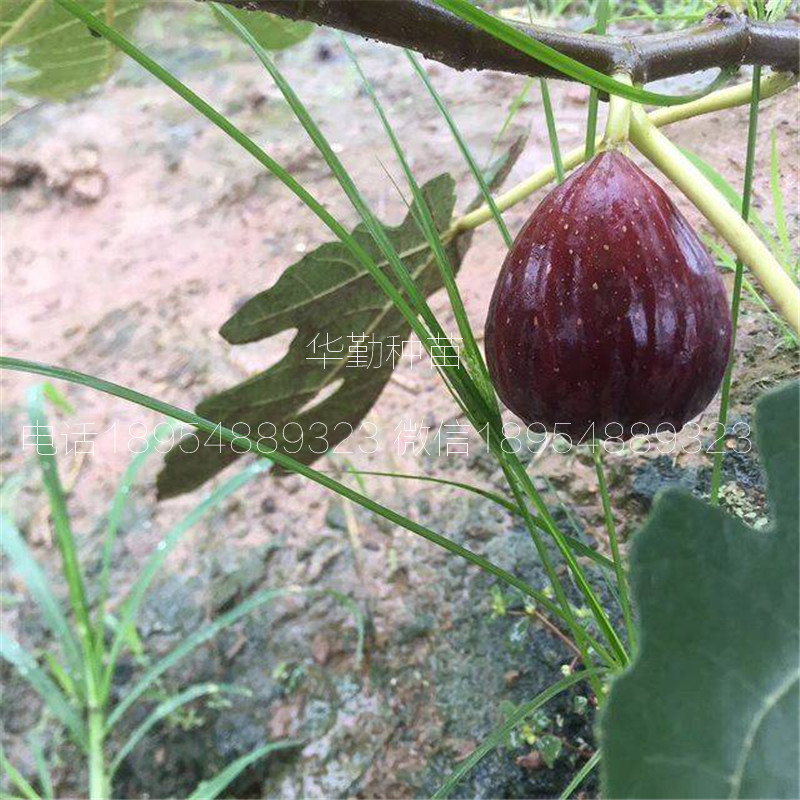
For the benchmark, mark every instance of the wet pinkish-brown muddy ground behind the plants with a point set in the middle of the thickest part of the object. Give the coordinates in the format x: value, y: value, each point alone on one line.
x: 141, y: 232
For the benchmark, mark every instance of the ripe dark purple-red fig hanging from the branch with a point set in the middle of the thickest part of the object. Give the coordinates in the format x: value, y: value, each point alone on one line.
x: 608, y: 309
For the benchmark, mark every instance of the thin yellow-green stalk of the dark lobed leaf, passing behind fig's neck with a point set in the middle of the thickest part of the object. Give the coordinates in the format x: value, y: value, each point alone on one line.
x: 720, y: 100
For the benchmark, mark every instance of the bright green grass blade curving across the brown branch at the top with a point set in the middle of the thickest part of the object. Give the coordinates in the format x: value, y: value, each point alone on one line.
x: 564, y: 64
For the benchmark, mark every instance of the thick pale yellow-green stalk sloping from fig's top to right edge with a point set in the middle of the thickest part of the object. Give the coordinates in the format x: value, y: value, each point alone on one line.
x: 725, y: 219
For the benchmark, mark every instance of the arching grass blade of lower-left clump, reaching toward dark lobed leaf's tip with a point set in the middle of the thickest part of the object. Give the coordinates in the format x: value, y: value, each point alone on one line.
x: 135, y: 597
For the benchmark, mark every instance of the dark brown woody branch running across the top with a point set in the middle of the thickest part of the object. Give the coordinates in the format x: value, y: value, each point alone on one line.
x: 722, y: 39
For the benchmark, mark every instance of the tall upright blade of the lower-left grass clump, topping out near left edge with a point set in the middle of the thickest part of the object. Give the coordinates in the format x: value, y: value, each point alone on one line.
x: 61, y: 523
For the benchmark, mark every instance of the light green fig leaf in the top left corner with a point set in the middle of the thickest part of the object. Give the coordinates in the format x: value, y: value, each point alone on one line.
x: 48, y: 53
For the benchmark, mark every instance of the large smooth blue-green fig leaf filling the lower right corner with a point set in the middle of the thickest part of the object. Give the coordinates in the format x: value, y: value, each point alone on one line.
x: 710, y: 706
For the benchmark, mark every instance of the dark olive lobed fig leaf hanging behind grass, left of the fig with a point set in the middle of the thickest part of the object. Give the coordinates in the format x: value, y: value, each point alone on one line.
x: 328, y: 297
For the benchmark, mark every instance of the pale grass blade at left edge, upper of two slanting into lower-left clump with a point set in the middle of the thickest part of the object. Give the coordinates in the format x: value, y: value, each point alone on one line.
x: 23, y: 562
